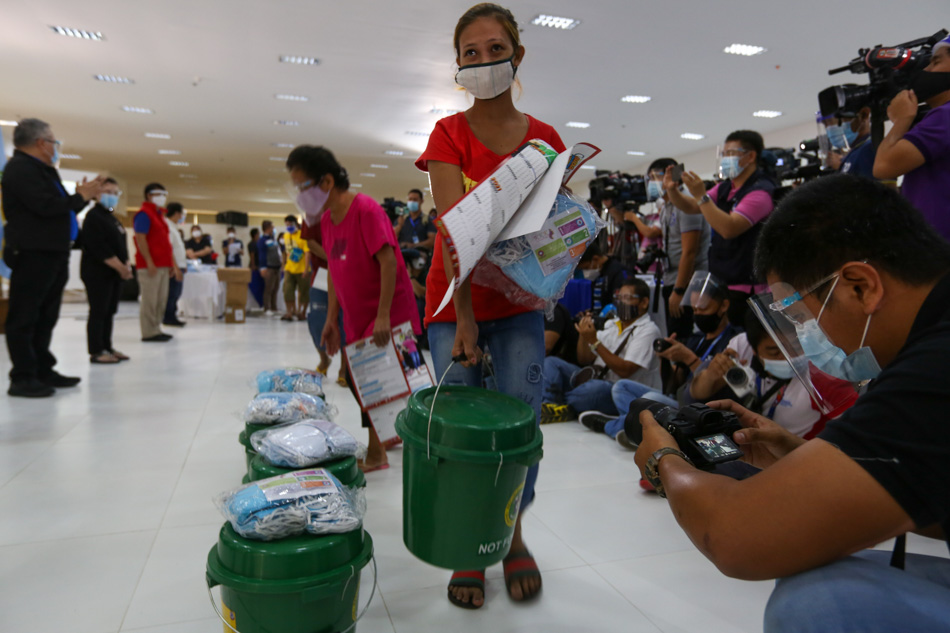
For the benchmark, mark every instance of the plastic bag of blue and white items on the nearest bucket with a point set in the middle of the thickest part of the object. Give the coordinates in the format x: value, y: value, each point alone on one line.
x: 312, y: 501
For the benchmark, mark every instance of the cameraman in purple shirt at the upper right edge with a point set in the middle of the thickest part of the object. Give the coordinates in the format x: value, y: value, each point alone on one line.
x: 922, y: 153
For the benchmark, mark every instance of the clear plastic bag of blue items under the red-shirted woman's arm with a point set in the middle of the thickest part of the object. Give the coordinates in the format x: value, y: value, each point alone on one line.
x: 533, y: 270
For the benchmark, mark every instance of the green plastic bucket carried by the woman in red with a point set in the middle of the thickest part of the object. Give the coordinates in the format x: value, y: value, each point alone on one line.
x: 462, y: 489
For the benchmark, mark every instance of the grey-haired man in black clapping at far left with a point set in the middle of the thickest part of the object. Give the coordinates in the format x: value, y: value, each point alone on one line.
x: 41, y: 228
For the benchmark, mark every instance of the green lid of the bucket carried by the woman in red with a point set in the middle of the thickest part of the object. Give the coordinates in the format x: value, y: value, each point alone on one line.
x: 472, y: 419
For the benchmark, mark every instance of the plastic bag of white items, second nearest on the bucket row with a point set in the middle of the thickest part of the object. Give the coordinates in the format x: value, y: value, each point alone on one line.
x: 305, y: 443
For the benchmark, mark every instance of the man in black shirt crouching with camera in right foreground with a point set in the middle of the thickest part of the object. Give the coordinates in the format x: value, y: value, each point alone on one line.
x: 858, y: 282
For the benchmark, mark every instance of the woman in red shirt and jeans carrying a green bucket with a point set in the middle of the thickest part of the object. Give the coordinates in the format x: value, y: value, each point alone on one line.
x: 463, y: 150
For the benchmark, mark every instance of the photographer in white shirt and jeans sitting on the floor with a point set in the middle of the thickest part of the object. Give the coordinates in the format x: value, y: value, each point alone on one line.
x: 621, y: 348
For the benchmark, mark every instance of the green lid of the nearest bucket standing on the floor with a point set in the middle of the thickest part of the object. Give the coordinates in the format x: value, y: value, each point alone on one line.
x: 286, y: 559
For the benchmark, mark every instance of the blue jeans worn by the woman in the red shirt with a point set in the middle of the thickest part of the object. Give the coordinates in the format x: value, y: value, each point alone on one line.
x: 517, y: 350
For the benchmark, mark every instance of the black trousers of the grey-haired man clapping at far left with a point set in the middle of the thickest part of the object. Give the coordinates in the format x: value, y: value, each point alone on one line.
x: 37, y: 281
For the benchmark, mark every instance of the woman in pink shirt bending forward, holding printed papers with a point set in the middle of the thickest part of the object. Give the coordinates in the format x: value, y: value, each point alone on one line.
x: 368, y: 277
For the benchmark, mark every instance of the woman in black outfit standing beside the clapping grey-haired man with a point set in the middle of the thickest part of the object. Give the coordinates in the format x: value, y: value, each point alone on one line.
x: 104, y: 266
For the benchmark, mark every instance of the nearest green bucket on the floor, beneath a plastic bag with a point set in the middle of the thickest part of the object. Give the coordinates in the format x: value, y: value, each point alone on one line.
x: 302, y: 584
